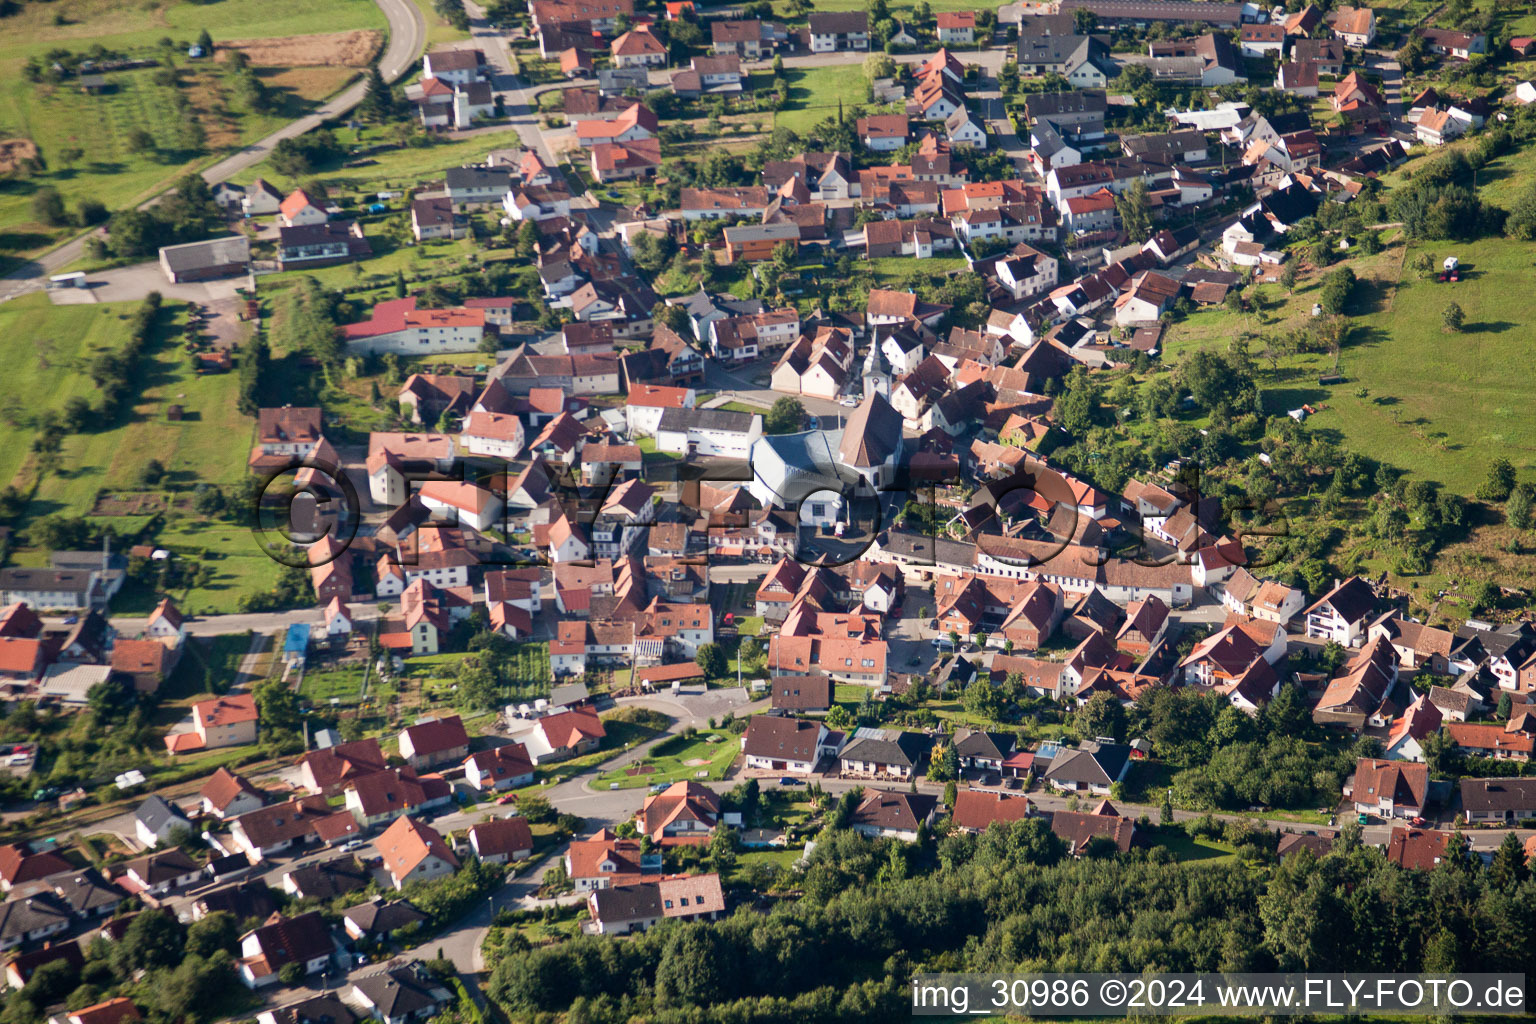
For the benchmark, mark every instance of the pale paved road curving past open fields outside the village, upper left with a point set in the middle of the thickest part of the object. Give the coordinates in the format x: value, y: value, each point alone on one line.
x: 408, y: 35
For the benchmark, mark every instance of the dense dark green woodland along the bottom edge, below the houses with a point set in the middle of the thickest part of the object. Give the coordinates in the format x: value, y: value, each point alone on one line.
x: 1010, y: 900
